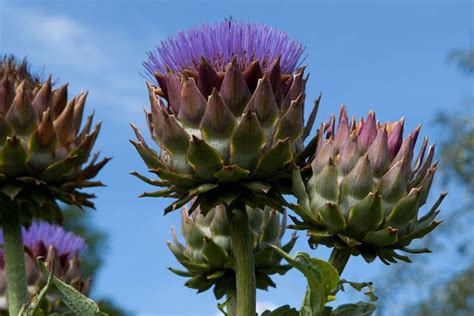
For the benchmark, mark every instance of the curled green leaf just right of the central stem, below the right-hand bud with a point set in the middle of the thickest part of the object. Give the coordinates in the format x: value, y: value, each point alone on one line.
x: 322, y: 278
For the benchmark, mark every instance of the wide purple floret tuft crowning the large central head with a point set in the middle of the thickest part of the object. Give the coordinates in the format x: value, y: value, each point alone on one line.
x: 218, y: 43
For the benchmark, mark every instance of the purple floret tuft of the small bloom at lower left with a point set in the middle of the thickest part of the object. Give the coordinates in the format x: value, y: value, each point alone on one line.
x: 40, y: 235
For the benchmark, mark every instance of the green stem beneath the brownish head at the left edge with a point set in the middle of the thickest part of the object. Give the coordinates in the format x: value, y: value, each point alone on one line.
x: 14, y: 263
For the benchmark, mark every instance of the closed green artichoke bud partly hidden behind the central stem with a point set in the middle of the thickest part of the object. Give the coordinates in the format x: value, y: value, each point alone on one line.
x: 206, y: 253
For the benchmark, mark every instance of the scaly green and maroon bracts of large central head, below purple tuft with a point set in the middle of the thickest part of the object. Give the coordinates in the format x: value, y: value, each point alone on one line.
x: 225, y: 137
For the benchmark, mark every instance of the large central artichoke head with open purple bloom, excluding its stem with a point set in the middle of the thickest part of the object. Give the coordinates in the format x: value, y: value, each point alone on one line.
x: 227, y: 114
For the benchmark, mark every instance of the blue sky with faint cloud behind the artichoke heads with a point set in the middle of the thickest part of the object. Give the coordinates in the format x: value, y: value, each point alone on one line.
x: 386, y: 56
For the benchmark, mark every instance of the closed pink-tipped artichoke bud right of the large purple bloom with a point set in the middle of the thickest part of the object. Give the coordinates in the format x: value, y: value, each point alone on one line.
x: 364, y: 192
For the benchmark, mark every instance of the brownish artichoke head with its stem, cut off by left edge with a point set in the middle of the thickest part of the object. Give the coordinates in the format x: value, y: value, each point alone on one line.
x: 43, y: 153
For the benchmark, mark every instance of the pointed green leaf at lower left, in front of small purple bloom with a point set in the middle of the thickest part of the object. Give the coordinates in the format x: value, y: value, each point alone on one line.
x: 73, y: 299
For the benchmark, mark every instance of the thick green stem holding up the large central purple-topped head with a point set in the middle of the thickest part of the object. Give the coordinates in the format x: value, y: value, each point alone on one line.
x: 244, y: 262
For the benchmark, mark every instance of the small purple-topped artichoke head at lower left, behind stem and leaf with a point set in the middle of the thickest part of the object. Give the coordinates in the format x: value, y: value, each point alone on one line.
x: 60, y: 250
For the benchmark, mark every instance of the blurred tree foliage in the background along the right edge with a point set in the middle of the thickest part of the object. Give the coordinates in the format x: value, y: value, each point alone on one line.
x: 450, y: 294
